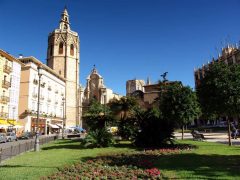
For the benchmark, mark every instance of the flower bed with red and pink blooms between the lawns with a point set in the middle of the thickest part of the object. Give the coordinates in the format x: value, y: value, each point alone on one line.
x: 140, y: 165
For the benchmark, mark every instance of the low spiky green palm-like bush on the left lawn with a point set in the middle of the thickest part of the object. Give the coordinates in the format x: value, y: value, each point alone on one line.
x: 98, y: 138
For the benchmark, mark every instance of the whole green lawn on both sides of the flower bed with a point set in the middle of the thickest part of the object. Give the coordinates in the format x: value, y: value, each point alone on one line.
x: 209, y: 161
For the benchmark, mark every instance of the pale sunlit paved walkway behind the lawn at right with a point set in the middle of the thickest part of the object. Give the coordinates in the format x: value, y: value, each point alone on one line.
x: 211, y: 137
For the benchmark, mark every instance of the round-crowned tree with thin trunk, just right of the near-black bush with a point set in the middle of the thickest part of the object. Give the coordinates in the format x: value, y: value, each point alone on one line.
x: 179, y: 104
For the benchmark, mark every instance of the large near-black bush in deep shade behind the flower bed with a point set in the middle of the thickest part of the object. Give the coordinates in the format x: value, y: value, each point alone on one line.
x: 154, y: 130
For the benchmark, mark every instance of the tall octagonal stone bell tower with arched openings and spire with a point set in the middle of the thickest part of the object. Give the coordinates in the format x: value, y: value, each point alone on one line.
x: 63, y: 57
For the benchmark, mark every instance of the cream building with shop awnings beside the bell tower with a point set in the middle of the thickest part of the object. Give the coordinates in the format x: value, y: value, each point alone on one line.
x: 51, y: 97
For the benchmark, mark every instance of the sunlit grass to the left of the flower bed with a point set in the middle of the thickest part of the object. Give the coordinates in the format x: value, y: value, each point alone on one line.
x: 33, y: 165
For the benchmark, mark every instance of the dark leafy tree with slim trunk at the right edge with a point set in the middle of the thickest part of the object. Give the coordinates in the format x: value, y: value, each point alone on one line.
x: 219, y: 91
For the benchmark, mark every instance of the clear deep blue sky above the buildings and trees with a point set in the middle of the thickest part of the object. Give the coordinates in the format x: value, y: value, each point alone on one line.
x: 126, y: 39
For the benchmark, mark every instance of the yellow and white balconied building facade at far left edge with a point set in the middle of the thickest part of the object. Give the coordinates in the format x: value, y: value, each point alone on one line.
x: 10, y: 70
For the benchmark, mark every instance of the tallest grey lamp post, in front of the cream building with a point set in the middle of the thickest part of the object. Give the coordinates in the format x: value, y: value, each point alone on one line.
x: 36, y: 145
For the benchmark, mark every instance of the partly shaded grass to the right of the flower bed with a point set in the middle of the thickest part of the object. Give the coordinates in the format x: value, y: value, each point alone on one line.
x: 209, y: 161
